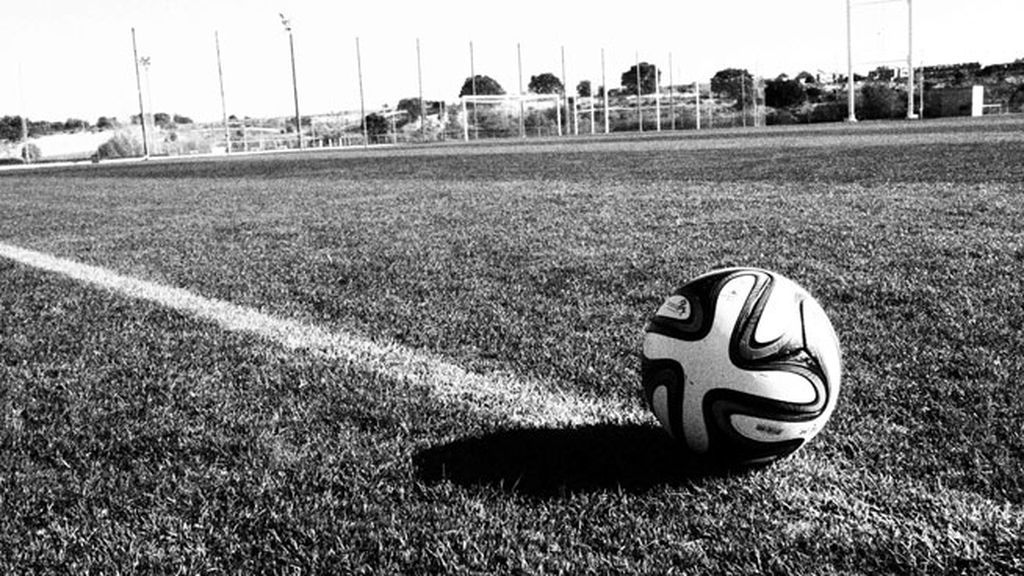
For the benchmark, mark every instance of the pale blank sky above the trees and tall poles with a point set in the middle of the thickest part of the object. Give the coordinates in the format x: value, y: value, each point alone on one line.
x: 73, y: 59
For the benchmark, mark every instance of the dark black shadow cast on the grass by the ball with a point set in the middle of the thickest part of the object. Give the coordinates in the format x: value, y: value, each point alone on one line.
x: 559, y: 462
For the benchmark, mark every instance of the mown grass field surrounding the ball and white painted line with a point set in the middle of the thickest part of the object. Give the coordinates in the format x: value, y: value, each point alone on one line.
x: 140, y: 438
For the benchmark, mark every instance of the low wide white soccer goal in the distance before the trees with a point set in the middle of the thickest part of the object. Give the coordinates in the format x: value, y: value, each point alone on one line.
x: 494, y: 115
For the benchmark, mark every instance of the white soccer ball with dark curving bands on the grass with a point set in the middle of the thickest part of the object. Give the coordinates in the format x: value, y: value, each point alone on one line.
x: 741, y: 366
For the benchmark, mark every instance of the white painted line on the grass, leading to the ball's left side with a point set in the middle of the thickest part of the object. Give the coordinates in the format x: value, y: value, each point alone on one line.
x: 521, y: 401
